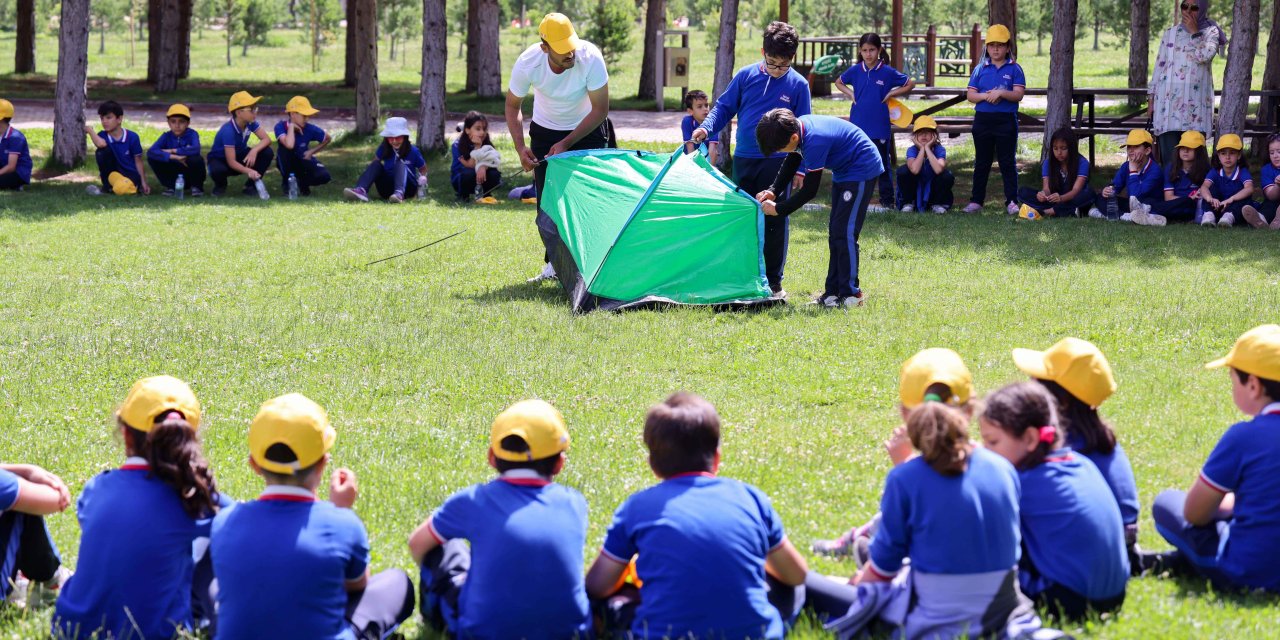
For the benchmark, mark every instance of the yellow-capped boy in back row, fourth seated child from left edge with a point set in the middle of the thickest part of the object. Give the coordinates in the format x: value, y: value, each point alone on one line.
x: 231, y: 153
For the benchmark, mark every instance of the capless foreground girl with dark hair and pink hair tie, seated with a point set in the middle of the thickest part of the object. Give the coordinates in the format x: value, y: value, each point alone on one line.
x: 1075, y: 557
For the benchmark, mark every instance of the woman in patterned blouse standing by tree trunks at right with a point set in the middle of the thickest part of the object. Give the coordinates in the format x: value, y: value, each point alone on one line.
x: 1182, y: 88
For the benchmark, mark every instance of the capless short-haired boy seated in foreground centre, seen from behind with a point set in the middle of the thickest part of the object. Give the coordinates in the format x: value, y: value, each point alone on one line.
x: 705, y: 546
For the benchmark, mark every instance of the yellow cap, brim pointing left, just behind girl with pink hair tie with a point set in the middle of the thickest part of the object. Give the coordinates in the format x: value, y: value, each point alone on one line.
x: 1077, y: 365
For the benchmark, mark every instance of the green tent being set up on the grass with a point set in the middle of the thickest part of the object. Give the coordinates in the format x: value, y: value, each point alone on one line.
x: 630, y: 228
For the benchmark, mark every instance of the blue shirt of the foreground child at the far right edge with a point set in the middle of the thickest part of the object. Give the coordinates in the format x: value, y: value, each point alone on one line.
x: 1247, y: 461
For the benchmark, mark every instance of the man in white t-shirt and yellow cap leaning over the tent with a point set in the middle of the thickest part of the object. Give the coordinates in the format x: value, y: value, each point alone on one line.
x: 572, y: 103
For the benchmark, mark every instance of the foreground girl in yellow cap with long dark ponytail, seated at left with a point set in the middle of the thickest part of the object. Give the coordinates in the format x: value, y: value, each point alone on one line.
x: 138, y: 577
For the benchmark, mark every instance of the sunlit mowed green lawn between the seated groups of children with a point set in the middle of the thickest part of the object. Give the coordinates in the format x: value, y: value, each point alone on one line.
x: 414, y: 358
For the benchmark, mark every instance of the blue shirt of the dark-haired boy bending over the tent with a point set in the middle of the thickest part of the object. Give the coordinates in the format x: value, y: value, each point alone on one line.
x: 830, y: 143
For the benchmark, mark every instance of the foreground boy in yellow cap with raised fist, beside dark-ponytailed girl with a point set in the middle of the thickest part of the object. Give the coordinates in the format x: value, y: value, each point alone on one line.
x: 291, y: 566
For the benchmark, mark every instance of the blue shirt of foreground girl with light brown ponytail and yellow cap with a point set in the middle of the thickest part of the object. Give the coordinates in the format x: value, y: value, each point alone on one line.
x: 954, y: 525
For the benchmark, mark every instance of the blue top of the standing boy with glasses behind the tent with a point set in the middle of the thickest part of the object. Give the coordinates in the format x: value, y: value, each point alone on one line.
x: 752, y: 94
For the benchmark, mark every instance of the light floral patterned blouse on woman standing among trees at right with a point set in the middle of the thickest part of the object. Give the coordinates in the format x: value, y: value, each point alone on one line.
x: 1182, y: 88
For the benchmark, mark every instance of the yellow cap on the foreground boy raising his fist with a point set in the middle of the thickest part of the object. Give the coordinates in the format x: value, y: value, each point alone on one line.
x: 295, y: 422
